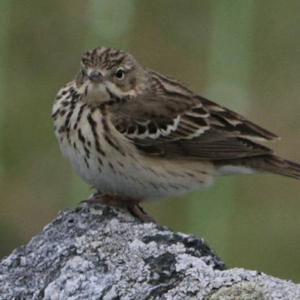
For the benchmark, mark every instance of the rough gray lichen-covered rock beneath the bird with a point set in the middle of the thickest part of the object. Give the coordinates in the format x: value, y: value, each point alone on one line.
x: 97, y: 252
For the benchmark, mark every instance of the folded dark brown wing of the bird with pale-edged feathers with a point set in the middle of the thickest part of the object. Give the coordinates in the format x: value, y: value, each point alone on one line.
x: 178, y: 124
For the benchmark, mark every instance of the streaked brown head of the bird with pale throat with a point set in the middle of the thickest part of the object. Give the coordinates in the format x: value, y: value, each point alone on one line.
x: 108, y: 74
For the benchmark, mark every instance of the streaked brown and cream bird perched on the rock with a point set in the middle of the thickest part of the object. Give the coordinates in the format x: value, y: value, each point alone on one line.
x: 135, y: 135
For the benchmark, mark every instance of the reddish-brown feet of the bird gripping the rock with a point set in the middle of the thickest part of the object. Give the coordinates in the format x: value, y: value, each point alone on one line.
x: 132, y: 205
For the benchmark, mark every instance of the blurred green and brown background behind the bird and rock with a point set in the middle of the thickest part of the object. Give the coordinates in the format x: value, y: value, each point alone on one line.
x: 241, y: 53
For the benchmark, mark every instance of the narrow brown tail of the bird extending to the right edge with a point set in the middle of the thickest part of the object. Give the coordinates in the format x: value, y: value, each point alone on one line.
x: 268, y: 163
